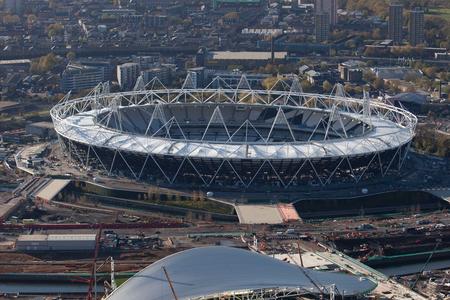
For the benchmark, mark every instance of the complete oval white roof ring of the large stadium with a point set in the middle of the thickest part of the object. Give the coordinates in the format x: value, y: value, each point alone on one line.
x: 392, y: 127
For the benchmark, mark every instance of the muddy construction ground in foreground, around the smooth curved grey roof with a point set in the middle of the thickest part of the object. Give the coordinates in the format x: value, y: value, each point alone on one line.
x: 74, y: 236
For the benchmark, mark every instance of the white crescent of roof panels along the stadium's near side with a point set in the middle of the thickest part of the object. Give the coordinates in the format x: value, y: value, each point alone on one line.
x: 385, y: 135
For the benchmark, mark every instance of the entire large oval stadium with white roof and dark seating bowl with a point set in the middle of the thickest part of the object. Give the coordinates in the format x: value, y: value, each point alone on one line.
x: 234, y: 137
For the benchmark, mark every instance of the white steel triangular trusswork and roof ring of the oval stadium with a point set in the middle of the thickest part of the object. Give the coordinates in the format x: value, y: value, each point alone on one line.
x: 89, y: 119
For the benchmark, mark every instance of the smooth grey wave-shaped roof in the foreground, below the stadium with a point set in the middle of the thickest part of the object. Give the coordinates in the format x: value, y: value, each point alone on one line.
x: 220, y: 271
